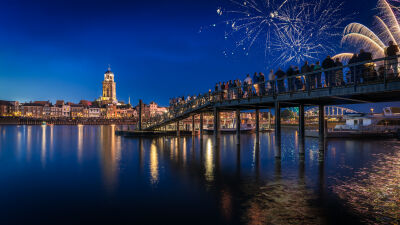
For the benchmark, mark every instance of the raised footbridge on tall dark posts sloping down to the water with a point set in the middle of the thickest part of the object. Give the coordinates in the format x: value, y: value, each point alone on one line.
x: 365, y: 82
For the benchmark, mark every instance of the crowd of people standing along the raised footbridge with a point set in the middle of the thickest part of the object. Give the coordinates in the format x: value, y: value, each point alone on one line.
x: 329, y: 73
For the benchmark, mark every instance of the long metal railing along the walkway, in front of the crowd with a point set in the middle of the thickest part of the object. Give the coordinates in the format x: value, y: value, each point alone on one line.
x: 382, y: 70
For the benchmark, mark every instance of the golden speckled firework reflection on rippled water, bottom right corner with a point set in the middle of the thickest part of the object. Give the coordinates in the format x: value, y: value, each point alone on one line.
x: 374, y: 191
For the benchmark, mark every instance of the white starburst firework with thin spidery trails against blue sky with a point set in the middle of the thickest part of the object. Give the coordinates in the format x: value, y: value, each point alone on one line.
x: 287, y: 31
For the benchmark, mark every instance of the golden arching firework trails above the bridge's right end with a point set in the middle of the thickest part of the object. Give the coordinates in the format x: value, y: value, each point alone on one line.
x: 387, y: 29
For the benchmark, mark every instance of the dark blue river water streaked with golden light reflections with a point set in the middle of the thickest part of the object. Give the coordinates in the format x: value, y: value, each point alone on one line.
x: 87, y: 175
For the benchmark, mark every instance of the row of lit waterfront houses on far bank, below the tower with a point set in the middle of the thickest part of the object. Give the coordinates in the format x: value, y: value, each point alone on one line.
x: 84, y: 109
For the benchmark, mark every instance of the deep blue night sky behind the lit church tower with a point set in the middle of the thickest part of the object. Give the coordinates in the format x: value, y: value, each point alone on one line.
x: 60, y: 49
